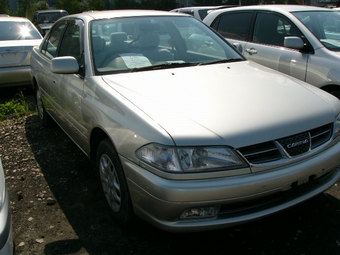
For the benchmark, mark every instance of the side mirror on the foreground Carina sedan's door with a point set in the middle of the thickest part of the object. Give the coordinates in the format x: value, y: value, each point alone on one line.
x: 64, y: 65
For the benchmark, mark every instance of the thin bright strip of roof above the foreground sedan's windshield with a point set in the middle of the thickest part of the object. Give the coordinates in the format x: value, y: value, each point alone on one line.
x: 123, y: 13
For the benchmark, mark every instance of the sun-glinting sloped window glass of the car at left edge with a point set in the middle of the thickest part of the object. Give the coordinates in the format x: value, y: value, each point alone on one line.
x: 15, y: 30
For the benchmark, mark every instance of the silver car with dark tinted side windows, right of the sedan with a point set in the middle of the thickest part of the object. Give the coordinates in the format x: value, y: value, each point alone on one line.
x: 301, y: 41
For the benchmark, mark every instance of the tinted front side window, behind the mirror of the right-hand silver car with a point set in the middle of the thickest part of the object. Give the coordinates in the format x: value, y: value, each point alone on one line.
x: 272, y: 29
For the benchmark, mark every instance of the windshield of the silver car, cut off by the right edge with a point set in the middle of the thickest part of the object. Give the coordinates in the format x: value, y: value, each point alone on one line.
x: 324, y: 25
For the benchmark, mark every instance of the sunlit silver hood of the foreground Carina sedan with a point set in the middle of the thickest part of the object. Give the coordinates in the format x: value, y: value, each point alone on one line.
x: 237, y: 104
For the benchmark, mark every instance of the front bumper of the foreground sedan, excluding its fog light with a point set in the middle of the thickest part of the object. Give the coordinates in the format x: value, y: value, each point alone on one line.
x: 241, y: 199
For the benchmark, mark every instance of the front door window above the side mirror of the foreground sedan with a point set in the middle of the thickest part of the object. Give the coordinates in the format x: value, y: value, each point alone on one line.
x: 70, y: 44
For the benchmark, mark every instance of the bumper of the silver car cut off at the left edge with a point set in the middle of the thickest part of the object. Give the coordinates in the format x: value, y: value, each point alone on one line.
x: 15, y: 76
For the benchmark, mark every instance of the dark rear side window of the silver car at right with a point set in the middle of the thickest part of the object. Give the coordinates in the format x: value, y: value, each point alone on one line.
x: 234, y: 25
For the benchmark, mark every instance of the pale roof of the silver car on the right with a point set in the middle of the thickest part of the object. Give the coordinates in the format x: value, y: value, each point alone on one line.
x: 275, y: 7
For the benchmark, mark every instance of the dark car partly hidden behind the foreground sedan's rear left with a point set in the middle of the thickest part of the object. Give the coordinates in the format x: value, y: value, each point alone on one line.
x: 44, y: 19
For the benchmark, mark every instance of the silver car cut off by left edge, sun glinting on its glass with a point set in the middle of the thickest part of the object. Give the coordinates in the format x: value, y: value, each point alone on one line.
x: 17, y: 38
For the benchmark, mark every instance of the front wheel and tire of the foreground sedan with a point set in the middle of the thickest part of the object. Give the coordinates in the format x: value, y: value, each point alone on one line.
x: 113, y: 184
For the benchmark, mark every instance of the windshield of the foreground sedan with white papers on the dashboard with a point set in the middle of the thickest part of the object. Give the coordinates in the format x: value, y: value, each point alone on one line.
x: 148, y: 43
